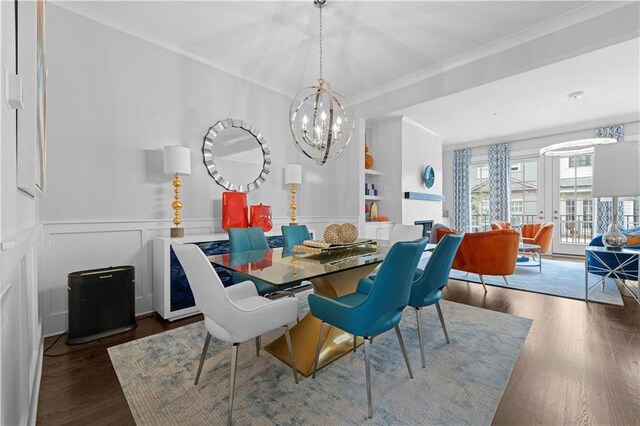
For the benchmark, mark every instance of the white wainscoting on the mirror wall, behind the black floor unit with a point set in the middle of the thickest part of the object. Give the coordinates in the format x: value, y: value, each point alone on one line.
x: 74, y: 246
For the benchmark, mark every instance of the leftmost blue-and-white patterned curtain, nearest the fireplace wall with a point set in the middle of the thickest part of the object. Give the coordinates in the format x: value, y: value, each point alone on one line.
x: 461, y: 218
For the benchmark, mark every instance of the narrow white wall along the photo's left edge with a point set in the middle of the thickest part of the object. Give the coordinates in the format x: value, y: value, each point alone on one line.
x: 21, y: 327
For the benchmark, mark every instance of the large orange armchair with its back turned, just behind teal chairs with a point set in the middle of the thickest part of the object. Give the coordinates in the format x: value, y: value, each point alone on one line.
x: 487, y: 253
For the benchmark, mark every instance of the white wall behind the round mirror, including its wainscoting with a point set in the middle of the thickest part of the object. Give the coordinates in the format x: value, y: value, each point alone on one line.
x: 114, y: 102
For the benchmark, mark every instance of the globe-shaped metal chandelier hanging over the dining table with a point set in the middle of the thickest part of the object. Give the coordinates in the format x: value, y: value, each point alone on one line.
x: 320, y: 119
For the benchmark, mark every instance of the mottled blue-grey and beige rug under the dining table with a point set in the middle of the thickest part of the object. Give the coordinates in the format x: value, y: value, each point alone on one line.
x: 462, y: 384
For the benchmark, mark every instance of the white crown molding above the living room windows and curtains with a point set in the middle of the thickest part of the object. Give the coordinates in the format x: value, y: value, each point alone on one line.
x: 549, y: 132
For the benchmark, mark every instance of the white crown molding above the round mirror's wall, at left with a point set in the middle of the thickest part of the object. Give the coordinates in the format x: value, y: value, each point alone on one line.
x: 97, y: 13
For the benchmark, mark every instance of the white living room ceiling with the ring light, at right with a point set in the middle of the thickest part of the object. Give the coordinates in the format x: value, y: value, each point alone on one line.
x: 537, y: 100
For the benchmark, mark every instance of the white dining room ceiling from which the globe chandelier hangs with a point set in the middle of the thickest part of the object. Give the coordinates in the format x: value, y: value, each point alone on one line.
x: 367, y: 44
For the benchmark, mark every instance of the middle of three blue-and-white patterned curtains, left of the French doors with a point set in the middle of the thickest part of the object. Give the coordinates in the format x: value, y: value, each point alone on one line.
x: 499, y: 182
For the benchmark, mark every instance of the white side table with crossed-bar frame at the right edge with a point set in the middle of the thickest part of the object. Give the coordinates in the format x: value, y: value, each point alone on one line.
x: 631, y: 256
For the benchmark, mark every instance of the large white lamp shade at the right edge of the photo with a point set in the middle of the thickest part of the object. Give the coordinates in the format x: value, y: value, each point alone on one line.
x: 616, y: 170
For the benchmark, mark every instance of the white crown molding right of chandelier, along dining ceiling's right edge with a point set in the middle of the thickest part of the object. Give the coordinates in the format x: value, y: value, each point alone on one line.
x: 541, y: 29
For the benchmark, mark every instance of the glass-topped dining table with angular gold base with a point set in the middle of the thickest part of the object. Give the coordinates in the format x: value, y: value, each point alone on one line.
x: 332, y: 274
